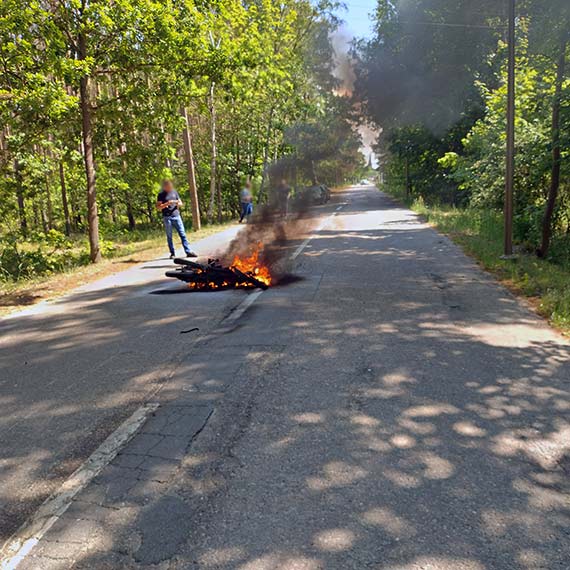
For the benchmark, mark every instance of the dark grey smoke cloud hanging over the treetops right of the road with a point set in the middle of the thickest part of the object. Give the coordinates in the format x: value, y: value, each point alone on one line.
x: 420, y: 66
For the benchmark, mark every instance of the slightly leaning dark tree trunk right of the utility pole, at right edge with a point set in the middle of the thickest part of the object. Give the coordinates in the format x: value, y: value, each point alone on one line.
x: 556, y: 151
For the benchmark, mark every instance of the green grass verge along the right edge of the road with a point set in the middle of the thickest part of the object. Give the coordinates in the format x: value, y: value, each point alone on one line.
x: 480, y: 234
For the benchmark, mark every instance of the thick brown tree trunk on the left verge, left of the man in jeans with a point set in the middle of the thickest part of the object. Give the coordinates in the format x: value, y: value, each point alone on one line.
x: 88, y: 155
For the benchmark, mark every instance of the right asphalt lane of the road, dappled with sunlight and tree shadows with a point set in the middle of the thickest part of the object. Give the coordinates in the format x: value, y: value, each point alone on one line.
x: 398, y: 413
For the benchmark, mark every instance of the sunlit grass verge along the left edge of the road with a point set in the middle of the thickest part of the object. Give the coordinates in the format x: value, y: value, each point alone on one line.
x: 127, y: 249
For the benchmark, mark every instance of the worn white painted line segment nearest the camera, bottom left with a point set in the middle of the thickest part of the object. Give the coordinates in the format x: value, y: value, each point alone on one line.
x: 32, y: 531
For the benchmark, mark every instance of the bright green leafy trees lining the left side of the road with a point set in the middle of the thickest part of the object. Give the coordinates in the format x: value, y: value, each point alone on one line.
x: 270, y: 62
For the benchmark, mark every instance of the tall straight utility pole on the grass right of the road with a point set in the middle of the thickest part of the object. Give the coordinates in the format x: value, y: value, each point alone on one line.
x: 510, y: 171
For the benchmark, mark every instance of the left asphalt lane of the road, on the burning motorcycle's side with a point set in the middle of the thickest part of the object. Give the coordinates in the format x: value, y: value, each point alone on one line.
x: 74, y: 369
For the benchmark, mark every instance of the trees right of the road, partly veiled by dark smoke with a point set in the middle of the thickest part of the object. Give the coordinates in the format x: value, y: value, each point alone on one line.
x: 434, y: 77
